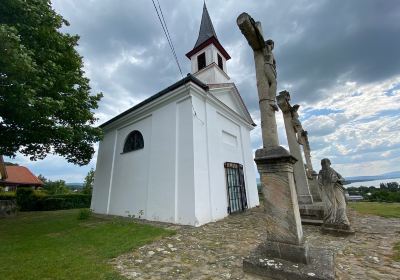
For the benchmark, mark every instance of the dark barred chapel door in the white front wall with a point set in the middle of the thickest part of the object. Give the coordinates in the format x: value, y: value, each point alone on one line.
x: 237, y: 200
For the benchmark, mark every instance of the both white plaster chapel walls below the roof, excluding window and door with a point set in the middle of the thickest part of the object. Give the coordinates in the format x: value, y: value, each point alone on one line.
x: 179, y: 176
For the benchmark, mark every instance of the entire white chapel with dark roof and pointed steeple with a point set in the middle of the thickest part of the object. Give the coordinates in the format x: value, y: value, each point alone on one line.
x: 183, y: 155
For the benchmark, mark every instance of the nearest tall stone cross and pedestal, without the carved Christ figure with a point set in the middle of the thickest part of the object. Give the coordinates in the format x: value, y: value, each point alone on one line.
x: 284, y: 254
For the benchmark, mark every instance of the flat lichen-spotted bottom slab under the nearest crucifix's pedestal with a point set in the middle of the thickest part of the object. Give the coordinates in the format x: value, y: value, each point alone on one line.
x: 320, y: 266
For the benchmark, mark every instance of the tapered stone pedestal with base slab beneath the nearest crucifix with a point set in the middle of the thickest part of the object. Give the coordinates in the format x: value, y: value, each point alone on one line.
x: 284, y: 254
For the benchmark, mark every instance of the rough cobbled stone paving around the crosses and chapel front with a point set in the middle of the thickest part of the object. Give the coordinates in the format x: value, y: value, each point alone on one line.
x: 216, y: 250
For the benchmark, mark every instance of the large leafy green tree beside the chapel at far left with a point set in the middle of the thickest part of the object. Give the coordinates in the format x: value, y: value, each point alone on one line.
x: 45, y: 101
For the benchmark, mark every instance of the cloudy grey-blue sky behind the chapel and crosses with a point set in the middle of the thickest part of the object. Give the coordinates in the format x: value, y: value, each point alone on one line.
x: 340, y: 61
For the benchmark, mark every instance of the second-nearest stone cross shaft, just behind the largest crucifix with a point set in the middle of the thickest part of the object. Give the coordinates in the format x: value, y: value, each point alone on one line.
x: 291, y: 121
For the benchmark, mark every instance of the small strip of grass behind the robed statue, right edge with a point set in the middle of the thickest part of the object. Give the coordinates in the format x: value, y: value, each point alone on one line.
x: 387, y: 210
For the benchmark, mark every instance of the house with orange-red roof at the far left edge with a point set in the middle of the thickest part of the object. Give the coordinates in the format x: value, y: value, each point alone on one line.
x: 17, y: 176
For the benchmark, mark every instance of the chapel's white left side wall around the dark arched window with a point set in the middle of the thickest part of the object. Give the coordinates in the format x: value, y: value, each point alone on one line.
x: 156, y: 182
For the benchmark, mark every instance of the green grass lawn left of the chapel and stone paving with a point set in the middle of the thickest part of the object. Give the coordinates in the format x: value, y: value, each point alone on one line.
x: 56, y: 245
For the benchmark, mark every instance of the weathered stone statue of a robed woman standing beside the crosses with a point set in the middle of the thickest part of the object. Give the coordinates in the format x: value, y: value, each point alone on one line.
x: 332, y: 192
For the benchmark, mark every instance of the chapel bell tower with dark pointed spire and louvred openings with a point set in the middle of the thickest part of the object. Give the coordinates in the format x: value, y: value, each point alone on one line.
x: 208, y: 56
